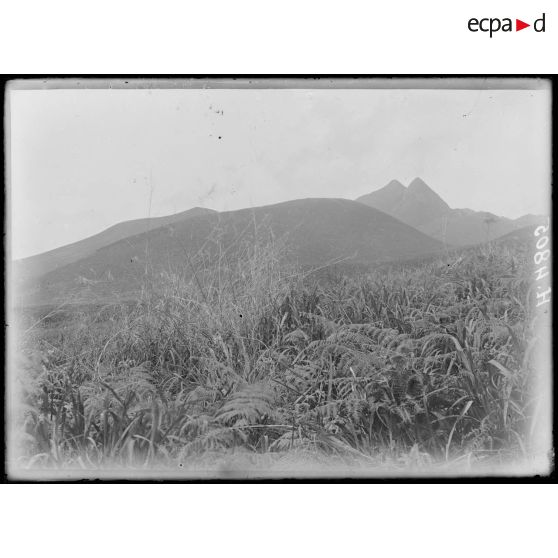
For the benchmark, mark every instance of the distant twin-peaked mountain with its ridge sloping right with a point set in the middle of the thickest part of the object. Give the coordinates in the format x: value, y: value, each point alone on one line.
x: 420, y: 207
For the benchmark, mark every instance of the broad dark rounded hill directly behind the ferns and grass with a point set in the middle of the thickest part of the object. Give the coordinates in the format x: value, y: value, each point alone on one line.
x: 315, y: 232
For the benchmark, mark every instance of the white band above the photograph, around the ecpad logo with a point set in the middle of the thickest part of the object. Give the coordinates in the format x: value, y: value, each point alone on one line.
x: 287, y: 36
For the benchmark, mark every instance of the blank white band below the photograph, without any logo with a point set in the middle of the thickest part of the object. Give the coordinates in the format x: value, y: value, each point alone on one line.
x: 283, y: 521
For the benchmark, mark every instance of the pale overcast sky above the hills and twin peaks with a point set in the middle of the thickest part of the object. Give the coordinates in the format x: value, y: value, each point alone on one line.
x: 83, y: 160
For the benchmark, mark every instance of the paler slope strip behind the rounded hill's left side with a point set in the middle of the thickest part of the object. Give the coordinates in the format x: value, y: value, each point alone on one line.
x: 35, y: 266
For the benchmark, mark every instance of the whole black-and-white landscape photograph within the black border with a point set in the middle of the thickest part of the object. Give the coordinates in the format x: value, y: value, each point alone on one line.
x: 278, y: 278
